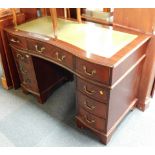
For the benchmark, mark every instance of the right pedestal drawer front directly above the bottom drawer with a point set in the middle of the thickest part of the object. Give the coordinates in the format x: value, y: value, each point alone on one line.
x: 92, y: 106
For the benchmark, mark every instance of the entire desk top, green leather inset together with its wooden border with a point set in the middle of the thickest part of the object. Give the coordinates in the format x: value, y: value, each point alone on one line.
x: 91, y: 39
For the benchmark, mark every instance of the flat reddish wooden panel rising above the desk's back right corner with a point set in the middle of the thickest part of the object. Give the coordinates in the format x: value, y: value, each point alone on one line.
x: 140, y: 19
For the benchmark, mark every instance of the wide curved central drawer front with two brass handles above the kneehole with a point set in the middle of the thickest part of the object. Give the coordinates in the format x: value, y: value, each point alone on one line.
x: 52, y: 52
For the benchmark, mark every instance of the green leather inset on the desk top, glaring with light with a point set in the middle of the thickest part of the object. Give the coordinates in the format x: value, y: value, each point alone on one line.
x: 89, y: 37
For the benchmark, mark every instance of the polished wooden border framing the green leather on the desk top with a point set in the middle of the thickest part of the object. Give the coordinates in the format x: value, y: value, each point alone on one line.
x: 140, y: 40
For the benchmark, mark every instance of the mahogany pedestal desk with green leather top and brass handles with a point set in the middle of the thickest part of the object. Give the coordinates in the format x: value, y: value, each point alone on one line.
x: 106, y: 65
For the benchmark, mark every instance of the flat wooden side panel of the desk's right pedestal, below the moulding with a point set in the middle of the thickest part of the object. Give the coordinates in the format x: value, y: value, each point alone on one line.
x: 123, y: 96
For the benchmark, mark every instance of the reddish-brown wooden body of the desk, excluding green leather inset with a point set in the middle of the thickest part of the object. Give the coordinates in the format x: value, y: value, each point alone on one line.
x: 109, y: 84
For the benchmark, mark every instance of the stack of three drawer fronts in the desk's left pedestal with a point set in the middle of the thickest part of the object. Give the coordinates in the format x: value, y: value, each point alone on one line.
x: 26, y: 71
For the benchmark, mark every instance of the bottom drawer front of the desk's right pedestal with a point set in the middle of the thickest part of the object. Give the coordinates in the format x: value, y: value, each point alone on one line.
x: 91, y: 120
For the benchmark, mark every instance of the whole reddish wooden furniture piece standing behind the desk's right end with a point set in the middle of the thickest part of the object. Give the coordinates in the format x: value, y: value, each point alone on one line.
x: 142, y: 20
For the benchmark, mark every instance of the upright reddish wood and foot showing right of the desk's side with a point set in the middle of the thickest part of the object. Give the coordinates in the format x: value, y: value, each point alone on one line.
x: 148, y: 76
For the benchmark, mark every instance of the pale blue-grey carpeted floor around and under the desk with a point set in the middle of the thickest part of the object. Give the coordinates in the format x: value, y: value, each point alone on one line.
x: 24, y: 122
